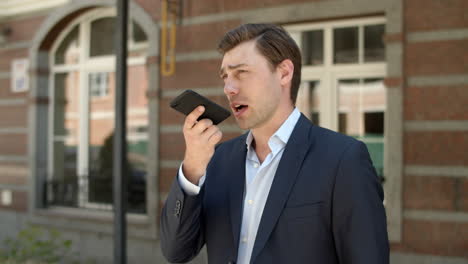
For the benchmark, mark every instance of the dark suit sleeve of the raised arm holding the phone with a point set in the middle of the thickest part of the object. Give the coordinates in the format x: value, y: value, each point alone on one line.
x: 181, y: 225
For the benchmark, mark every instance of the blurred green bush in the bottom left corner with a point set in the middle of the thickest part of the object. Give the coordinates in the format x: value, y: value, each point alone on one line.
x: 35, y: 245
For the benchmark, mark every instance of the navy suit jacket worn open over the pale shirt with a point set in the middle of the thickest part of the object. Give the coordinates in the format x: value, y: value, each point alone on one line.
x: 324, y: 206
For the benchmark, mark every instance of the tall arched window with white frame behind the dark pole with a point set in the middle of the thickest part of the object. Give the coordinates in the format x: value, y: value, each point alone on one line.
x: 82, y: 115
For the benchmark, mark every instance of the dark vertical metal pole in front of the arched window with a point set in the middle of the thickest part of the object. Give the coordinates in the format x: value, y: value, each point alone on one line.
x: 120, y: 146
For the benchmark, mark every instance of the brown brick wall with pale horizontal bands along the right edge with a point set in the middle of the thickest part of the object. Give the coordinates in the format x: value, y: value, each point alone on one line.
x: 434, y: 204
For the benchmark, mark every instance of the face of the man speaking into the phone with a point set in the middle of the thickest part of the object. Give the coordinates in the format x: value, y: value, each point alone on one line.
x: 251, y: 85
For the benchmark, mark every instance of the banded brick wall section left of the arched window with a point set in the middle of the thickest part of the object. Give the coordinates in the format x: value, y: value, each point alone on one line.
x: 14, y: 115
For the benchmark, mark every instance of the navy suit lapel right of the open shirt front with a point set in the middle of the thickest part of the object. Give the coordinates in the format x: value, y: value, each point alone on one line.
x: 286, y: 174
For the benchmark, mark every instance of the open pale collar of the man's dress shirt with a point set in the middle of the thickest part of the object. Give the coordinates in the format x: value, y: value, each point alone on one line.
x: 279, y: 139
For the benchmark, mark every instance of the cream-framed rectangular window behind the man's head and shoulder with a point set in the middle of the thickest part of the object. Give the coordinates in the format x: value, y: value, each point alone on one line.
x: 342, y: 79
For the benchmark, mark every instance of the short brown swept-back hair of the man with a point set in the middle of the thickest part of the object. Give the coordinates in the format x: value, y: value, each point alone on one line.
x: 273, y: 42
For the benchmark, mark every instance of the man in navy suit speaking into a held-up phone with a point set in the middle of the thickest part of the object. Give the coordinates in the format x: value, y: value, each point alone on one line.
x: 285, y: 192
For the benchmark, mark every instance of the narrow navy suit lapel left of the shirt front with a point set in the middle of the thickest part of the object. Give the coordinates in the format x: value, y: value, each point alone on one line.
x: 236, y: 176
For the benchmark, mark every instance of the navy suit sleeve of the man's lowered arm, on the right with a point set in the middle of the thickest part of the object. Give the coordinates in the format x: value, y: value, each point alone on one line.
x: 359, y: 220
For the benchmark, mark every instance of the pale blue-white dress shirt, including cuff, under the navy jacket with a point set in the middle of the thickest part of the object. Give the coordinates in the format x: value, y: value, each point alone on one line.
x: 259, y: 177
